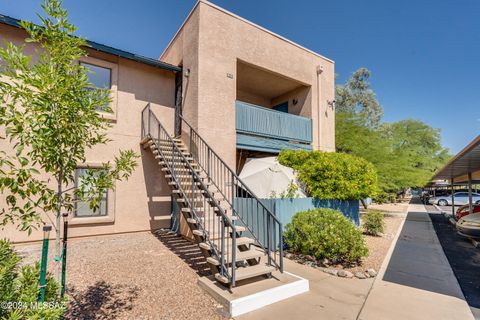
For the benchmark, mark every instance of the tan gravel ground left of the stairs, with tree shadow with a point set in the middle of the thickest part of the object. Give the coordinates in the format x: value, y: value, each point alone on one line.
x: 134, y: 276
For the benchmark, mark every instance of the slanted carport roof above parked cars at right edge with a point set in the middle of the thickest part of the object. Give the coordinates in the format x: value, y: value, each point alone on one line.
x: 467, y: 160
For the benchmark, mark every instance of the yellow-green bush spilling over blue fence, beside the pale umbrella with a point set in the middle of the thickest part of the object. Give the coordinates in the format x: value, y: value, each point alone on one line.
x: 331, y: 175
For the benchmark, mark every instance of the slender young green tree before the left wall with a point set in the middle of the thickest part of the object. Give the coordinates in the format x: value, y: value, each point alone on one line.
x: 51, y: 120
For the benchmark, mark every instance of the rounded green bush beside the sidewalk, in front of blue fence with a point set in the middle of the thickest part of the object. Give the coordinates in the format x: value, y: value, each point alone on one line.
x: 325, y: 234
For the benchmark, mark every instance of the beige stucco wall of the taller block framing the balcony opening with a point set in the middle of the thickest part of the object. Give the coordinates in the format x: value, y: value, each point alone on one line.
x: 222, y: 39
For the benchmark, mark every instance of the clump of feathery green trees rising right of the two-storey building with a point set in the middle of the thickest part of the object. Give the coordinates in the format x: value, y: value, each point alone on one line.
x: 405, y: 153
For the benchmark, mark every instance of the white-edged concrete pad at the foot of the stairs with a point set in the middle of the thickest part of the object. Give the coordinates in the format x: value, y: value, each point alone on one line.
x: 255, y: 293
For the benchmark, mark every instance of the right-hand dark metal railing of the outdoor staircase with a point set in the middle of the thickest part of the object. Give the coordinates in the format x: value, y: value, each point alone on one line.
x: 260, y: 222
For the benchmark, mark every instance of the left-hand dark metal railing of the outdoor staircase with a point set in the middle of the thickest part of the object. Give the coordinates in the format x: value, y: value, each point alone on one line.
x: 196, y: 195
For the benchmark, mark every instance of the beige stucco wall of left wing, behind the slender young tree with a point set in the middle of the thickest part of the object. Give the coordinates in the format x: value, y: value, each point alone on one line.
x: 142, y: 202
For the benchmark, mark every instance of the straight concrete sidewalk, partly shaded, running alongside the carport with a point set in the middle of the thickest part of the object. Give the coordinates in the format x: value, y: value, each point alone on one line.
x: 416, y: 280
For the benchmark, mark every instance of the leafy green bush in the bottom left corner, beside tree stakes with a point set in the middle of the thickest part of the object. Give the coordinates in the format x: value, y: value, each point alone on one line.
x: 19, y: 284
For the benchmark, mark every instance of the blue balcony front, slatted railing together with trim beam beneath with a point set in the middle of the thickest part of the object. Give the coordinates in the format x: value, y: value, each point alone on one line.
x: 263, y: 129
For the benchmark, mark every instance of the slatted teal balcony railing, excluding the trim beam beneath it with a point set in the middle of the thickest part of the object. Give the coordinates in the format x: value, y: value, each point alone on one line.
x: 263, y: 122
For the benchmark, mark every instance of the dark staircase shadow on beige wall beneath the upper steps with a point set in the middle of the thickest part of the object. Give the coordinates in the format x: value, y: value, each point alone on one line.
x: 158, y: 192
